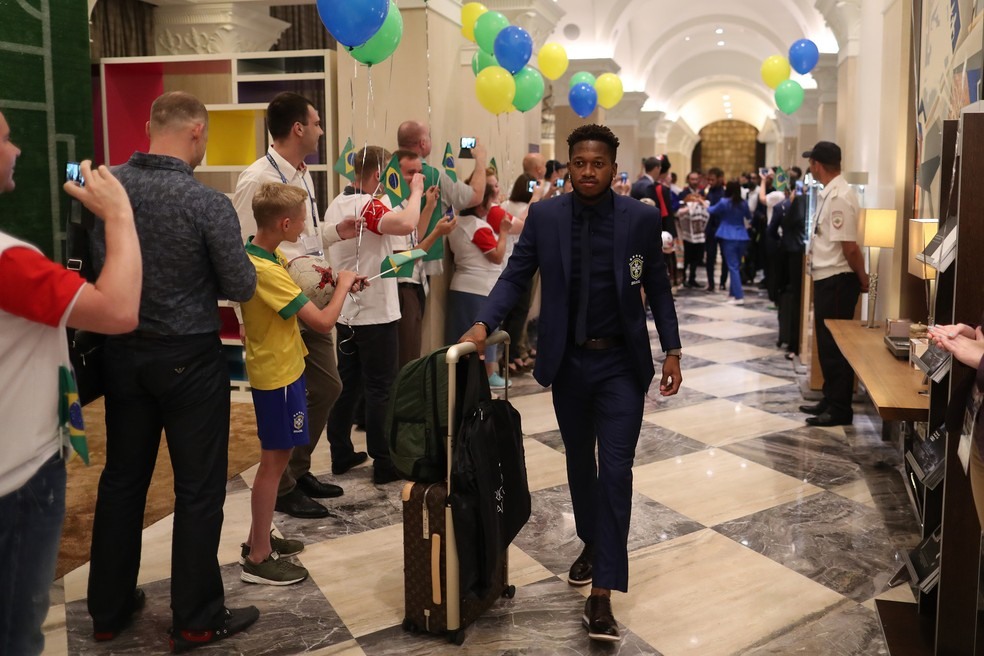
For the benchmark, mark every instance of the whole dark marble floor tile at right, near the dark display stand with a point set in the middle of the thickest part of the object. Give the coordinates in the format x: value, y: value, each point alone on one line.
x: 831, y: 540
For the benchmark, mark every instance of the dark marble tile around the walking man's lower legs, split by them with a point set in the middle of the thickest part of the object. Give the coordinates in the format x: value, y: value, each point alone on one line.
x: 550, y: 537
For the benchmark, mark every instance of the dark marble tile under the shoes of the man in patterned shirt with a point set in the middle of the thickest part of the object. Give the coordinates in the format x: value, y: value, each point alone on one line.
x: 293, y: 620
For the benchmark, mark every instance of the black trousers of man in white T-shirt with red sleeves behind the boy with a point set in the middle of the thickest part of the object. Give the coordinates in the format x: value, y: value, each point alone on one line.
x: 367, y: 364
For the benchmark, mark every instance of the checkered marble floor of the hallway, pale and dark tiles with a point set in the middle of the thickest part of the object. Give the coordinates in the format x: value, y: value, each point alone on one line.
x: 751, y: 532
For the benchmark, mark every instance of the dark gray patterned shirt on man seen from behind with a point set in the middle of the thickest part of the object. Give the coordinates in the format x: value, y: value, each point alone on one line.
x: 189, y: 240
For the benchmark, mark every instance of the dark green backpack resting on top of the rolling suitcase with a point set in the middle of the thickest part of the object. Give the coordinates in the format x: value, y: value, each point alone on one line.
x: 417, y: 419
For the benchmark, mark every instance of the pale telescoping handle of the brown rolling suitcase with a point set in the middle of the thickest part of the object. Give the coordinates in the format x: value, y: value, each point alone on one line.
x: 453, y: 355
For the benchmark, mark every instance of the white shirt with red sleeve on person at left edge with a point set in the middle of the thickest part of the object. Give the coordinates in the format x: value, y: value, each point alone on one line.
x: 36, y: 297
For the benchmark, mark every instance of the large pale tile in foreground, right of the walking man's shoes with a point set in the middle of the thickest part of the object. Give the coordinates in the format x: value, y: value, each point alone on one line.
x: 742, y: 597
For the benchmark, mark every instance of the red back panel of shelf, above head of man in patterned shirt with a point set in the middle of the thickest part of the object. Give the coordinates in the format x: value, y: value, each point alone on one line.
x: 130, y: 91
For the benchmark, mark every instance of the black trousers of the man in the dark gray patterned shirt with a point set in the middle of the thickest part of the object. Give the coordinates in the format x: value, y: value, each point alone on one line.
x: 179, y: 385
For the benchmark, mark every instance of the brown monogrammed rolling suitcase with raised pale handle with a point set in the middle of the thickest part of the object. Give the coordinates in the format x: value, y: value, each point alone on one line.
x: 432, y: 591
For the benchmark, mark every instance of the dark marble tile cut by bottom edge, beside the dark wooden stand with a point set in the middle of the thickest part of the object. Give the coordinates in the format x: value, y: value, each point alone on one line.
x: 848, y: 629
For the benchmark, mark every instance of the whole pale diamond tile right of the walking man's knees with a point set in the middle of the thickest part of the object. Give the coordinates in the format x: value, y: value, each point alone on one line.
x: 714, y: 486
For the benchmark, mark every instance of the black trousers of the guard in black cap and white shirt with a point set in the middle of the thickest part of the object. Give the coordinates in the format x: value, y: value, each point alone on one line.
x: 835, y: 298
